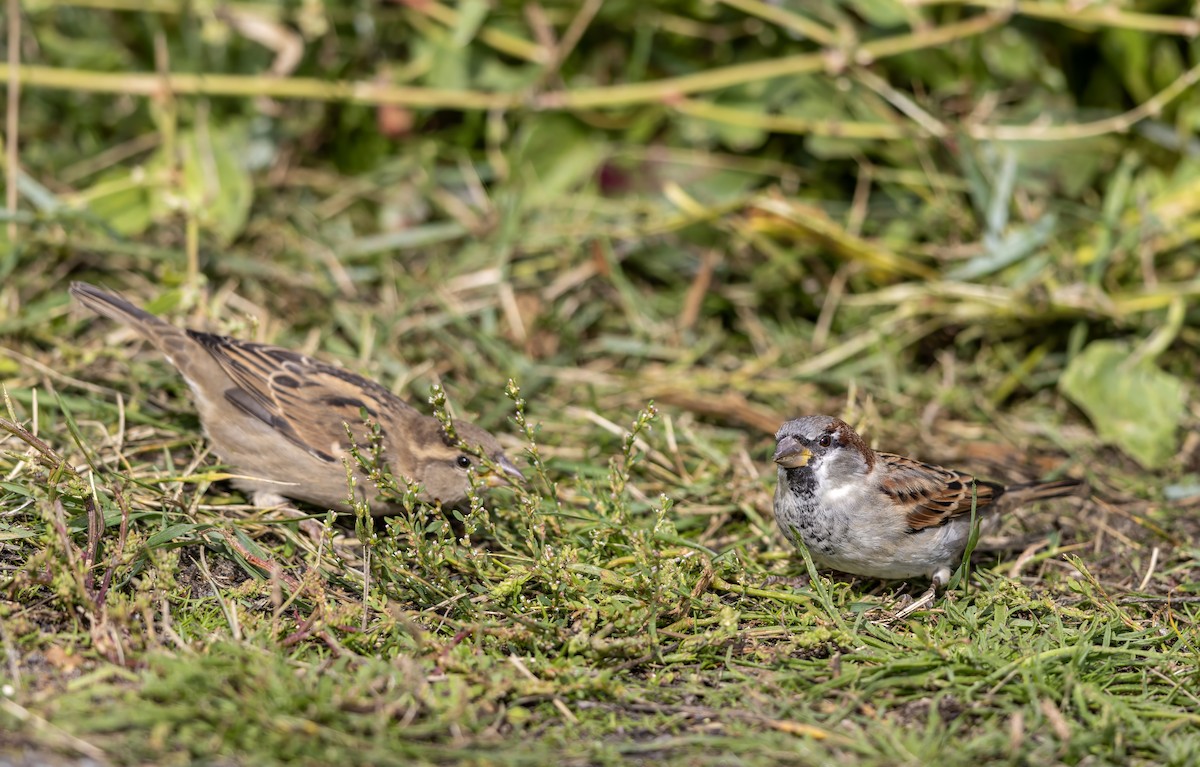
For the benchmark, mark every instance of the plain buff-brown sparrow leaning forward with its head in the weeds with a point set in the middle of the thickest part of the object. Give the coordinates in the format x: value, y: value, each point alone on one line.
x: 280, y: 418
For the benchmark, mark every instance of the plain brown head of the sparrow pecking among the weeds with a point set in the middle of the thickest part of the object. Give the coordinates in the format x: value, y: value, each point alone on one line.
x: 442, y: 466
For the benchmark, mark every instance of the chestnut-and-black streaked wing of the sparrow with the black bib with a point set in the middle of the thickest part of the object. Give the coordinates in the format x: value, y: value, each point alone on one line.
x: 932, y: 494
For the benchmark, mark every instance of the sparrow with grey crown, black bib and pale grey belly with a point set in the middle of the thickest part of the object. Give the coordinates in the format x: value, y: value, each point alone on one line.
x: 879, y: 514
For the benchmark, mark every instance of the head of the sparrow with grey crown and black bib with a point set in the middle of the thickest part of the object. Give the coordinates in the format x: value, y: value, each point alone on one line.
x: 823, y: 445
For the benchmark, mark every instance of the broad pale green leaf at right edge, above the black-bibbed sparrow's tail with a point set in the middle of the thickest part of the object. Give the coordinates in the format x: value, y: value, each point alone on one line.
x: 1133, y: 404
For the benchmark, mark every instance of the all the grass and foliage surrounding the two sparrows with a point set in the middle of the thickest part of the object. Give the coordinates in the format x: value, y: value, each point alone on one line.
x: 633, y: 297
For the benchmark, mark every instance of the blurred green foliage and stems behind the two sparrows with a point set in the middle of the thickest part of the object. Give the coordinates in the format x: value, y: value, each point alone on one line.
x: 829, y: 185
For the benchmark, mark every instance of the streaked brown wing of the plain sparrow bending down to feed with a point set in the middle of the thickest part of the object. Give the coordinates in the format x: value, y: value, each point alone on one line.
x: 307, y: 402
